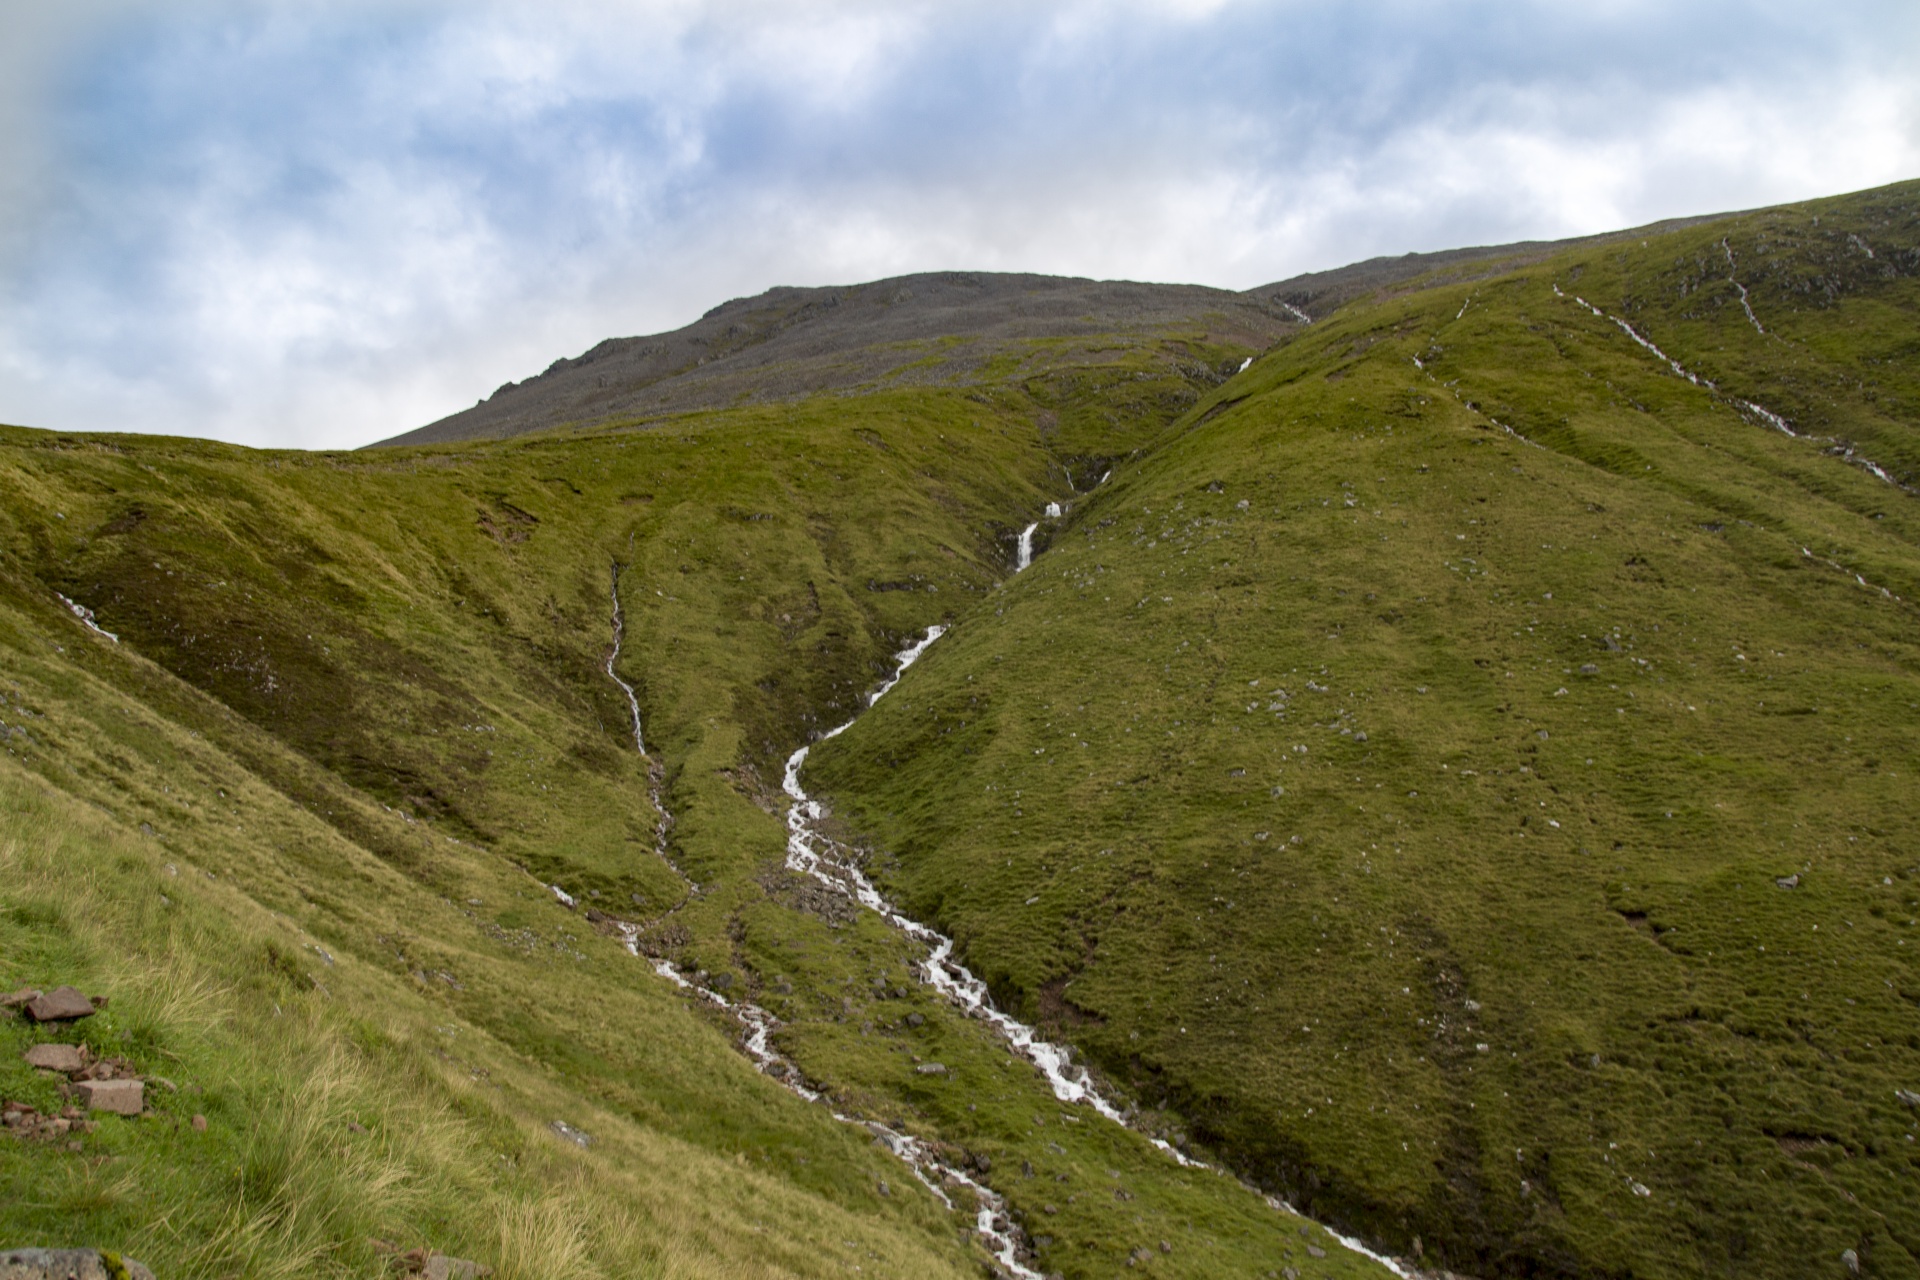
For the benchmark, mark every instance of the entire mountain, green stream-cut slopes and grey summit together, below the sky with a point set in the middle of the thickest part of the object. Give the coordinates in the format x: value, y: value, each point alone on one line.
x: 1449, y: 767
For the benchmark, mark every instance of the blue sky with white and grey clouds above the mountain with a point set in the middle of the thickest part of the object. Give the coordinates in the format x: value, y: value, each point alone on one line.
x: 318, y: 225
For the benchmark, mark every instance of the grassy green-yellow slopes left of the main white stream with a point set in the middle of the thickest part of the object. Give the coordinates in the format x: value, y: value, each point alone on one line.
x: 299, y: 818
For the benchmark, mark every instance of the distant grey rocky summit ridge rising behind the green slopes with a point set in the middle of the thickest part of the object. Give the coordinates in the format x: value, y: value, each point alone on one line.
x: 942, y: 329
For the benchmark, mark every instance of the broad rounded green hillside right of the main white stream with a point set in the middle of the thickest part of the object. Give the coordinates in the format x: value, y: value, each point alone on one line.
x: 1401, y: 772
